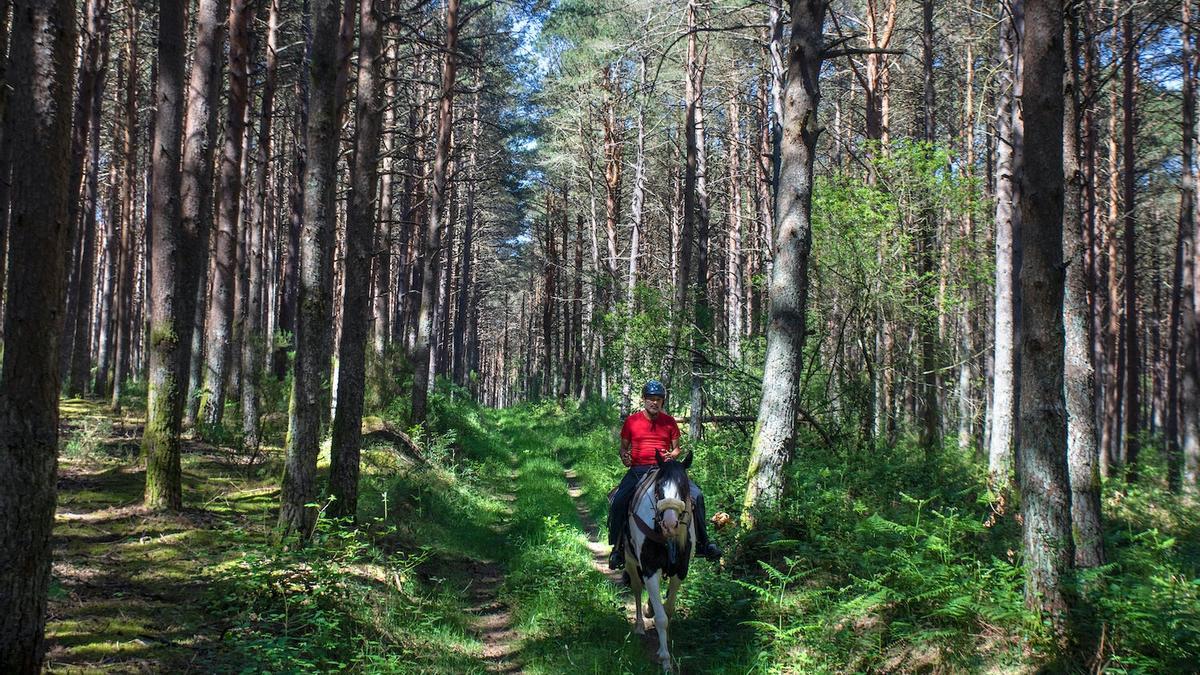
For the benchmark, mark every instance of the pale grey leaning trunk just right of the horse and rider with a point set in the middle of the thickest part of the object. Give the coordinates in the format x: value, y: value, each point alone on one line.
x: 775, y: 438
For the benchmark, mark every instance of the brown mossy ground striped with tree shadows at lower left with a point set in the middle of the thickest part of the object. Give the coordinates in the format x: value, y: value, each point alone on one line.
x: 129, y: 586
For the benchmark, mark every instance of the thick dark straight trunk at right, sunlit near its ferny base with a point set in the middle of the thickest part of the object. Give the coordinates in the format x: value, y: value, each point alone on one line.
x: 1042, y: 461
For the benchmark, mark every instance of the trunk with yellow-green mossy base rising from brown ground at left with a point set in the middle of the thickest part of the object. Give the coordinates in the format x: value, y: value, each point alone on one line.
x: 169, y: 307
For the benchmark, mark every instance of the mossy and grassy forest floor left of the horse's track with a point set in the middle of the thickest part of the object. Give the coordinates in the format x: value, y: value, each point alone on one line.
x: 495, y: 568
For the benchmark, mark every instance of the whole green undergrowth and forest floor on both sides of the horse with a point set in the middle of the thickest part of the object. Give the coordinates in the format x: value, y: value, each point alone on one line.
x: 881, y: 561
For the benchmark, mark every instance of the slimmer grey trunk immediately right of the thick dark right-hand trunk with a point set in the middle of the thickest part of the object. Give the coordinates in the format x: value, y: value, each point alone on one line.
x: 1079, y: 379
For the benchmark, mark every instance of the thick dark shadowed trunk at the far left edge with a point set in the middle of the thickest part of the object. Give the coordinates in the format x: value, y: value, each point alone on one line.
x: 44, y: 44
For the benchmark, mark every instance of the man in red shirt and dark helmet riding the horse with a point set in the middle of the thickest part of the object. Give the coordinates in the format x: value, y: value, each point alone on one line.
x: 645, y: 434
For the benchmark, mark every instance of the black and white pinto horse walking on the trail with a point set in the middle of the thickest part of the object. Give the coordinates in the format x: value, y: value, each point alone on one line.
x: 659, y: 545
